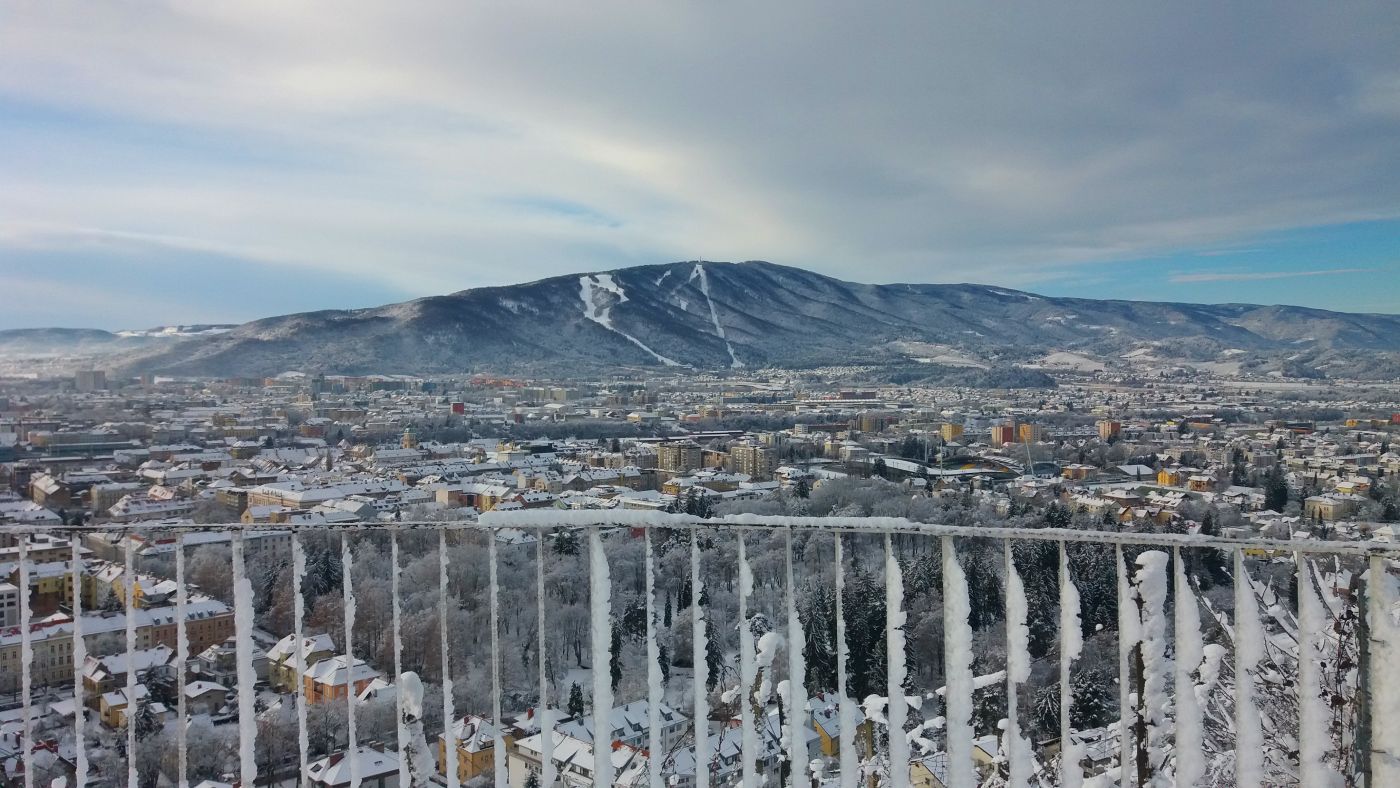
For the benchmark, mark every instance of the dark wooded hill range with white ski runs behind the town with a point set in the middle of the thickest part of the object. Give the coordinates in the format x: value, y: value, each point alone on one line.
x: 755, y: 314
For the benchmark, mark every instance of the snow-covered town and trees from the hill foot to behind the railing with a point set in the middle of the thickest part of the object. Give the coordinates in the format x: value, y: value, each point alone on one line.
x: 713, y: 582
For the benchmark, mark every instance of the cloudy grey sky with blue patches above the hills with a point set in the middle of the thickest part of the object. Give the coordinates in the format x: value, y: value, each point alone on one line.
x: 219, y: 162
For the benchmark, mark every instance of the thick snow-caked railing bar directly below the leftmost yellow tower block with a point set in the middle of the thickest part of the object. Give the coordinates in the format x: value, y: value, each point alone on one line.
x: 958, y: 660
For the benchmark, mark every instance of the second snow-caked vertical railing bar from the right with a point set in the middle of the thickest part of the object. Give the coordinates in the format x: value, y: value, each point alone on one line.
x: 1314, y: 708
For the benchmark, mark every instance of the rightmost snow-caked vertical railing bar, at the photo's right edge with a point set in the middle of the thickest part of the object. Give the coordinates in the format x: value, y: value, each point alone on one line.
x: 1385, y: 684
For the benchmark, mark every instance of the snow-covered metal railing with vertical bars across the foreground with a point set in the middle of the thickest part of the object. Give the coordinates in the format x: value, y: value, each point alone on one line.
x: 1168, y: 685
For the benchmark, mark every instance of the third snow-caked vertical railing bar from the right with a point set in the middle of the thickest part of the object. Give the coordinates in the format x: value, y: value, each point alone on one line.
x: 1249, y: 653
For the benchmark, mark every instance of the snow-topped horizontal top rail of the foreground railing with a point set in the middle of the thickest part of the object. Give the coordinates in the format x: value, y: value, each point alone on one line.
x: 876, y: 526
